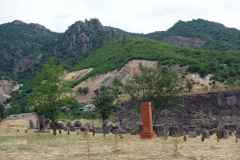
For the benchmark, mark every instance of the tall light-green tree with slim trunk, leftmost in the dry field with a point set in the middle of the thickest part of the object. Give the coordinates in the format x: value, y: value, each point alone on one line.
x: 51, y: 94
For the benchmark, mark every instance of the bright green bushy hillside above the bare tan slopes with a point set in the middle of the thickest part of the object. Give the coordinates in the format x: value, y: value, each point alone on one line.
x: 115, y: 54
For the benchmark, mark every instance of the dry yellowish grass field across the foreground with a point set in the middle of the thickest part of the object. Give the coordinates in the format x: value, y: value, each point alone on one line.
x: 20, y: 145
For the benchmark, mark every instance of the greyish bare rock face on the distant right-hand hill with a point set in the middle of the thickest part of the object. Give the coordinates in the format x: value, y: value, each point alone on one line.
x: 196, y: 43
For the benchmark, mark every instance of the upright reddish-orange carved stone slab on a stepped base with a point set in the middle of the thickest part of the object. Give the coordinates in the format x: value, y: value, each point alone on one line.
x: 147, y: 121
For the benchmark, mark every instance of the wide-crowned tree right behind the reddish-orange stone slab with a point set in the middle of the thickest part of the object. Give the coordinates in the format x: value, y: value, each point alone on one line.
x: 155, y: 85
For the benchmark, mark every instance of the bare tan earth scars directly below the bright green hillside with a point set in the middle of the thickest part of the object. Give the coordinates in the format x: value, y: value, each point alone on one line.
x: 124, y: 75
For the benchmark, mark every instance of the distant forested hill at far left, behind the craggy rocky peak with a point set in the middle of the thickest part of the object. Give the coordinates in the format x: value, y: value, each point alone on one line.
x: 18, y: 40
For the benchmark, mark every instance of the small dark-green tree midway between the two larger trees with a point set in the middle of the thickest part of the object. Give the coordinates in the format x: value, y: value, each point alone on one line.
x: 104, y: 102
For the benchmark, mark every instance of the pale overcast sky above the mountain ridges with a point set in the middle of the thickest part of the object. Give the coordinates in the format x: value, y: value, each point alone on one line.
x: 137, y: 16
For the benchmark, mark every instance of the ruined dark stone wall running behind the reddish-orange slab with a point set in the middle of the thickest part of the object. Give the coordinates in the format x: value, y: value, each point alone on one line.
x: 210, y: 110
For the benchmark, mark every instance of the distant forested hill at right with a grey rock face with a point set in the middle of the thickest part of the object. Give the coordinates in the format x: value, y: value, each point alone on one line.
x: 200, y: 34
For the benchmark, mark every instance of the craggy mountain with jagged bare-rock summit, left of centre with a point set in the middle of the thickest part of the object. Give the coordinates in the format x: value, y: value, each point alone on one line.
x: 80, y: 40
